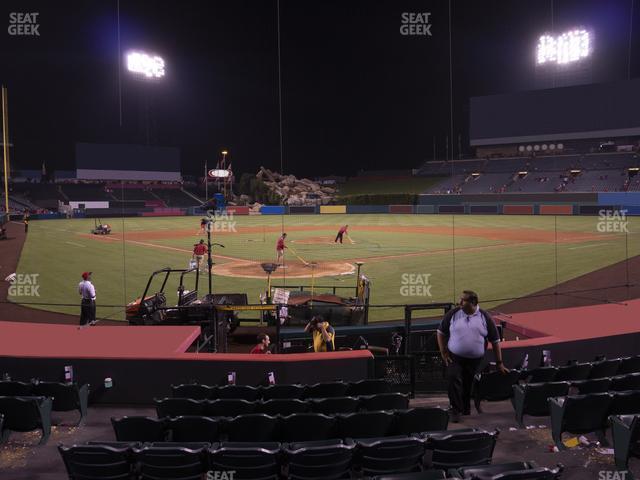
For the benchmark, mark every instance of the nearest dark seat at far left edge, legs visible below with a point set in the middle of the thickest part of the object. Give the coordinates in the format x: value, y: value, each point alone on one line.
x: 25, y: 414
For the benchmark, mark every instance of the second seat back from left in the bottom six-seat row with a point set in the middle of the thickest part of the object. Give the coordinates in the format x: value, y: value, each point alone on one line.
x: 171, y: 463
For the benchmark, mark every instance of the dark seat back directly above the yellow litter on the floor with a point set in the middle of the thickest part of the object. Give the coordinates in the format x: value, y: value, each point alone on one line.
x: 585, y: 413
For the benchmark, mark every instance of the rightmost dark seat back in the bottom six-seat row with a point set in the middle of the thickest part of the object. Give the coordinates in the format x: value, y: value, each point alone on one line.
x: 460, y: 449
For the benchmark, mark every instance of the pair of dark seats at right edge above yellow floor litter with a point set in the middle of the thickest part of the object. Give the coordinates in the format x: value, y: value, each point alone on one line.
x: 581, y: 414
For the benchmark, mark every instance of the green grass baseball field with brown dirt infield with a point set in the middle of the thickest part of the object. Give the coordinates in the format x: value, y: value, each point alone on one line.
x: 408, y: 258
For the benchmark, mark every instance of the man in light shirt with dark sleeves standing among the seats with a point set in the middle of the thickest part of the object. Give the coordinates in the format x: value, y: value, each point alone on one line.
x: 462, y: 340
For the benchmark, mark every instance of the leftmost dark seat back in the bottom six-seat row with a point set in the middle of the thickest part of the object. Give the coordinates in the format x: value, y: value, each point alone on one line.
x: 97, y: 462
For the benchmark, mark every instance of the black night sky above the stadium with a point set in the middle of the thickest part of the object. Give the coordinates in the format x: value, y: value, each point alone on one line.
x: 356, y: 94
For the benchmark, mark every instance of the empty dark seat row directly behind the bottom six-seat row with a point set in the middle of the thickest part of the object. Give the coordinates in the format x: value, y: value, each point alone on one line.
x: 292, y: 428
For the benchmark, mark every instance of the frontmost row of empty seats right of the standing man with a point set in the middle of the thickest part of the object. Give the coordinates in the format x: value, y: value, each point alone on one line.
x: 583, y: 371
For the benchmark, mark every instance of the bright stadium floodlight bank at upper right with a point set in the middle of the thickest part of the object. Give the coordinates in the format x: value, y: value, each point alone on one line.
x: 566, y: 48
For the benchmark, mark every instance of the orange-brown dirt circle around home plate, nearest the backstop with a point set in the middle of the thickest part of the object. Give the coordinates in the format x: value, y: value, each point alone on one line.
x: 293, y: 270
